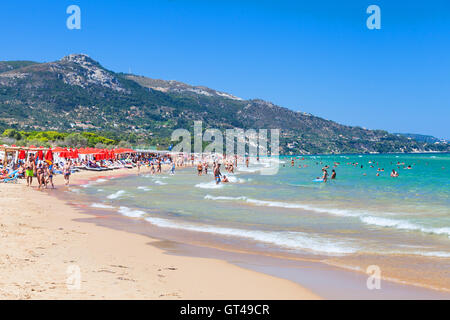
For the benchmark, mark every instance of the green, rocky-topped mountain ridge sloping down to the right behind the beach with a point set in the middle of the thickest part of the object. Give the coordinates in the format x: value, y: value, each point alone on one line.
x: 76, y: 93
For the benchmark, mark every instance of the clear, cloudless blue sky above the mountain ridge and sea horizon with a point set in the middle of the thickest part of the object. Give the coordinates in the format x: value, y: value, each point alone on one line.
x: 313, y: 56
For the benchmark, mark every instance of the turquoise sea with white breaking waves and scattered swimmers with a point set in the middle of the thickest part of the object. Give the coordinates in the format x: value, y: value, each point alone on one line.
x: 358, y: 214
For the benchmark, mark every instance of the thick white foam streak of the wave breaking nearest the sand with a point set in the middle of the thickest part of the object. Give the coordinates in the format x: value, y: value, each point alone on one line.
x: 290, y: 240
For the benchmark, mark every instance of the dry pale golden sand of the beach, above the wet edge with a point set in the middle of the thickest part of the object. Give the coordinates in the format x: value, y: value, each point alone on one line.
x: 44, y: 247
